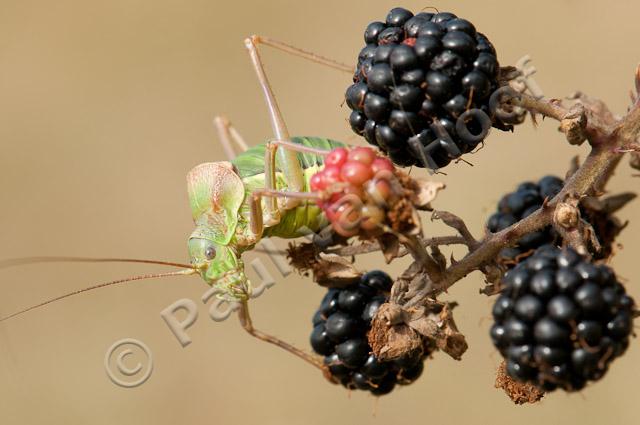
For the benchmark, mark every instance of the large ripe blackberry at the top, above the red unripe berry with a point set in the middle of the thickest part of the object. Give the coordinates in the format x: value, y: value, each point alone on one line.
x: 416, y: 77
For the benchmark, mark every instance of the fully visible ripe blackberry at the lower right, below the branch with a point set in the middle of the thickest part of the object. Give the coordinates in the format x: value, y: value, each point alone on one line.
x: 561, y: 320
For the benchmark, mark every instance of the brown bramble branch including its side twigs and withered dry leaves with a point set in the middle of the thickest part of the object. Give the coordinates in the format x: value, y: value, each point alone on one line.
x: 413, y: 315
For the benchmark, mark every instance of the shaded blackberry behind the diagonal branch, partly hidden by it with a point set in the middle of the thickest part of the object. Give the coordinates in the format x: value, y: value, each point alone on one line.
x: 529, y: 197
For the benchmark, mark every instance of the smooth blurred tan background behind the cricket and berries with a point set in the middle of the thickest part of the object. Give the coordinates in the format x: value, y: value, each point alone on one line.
x: 105, y: 106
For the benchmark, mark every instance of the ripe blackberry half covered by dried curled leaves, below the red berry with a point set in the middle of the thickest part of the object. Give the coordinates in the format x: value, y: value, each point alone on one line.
x: 340, y: 334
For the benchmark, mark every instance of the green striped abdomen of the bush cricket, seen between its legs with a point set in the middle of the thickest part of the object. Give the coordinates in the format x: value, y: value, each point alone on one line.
x: 297, y: 221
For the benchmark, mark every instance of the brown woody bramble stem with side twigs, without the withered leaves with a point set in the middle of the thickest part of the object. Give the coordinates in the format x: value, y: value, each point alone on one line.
x: 586, y: 120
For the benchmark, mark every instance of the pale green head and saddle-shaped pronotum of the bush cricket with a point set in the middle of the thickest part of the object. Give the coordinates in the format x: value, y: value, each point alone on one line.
x: 216, y: 193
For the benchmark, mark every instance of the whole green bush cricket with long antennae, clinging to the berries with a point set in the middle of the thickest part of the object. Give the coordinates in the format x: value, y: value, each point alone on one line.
x: 226, y: 200
